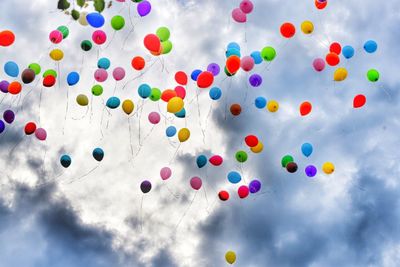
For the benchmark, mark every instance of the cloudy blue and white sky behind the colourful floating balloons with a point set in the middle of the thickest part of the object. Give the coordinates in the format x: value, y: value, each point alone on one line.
x: 94, y: 214
